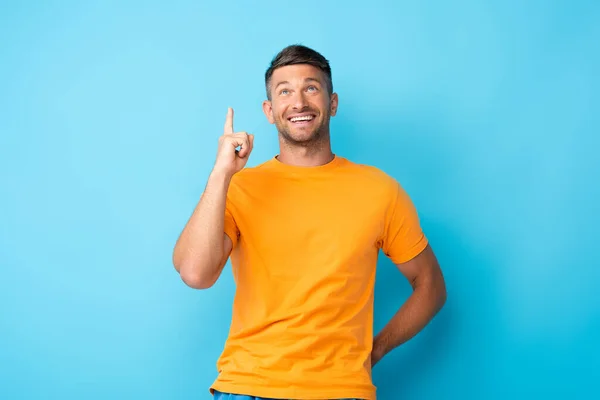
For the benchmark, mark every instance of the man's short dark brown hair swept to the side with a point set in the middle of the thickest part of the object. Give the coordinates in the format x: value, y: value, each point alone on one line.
x: 299, y: 54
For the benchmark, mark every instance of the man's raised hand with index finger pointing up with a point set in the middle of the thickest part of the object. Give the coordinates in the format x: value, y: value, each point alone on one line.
x: 230, y: 160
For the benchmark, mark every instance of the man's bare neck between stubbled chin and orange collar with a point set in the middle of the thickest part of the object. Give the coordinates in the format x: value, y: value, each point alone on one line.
x: 305, y: 155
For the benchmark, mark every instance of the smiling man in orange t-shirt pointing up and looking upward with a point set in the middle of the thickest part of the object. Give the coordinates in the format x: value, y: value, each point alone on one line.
x: 304, y: 230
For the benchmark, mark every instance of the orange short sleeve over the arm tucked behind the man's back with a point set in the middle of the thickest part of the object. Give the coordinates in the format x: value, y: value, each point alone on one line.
x: 403, y: 237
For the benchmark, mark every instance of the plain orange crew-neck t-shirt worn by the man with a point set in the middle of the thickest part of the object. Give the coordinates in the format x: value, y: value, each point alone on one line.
x: 306, y: 242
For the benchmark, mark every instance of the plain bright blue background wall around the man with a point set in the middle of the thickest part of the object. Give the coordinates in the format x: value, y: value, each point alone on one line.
x: 486, y: 111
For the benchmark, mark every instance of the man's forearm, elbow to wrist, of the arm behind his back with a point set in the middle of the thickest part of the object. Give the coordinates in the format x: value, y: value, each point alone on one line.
x: 423, y: 304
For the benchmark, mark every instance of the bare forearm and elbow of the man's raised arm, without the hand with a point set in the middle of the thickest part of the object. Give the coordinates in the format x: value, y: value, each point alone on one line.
x: 203, y: 248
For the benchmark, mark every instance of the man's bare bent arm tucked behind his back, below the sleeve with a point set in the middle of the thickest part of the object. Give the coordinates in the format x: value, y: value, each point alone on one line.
x: 428, y: 297
